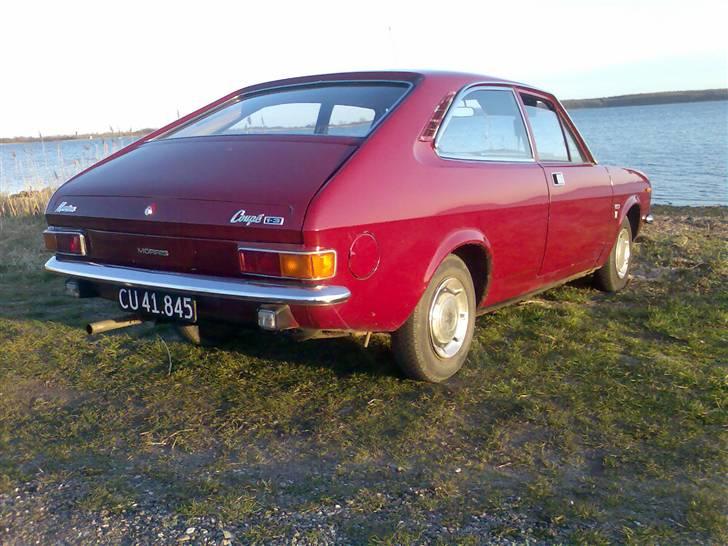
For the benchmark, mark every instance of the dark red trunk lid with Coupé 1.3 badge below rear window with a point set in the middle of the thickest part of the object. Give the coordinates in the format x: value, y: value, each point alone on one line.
x: 240, y: 188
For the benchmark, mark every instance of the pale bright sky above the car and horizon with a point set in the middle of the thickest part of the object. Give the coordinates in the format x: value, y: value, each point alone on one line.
x: 75, y: 66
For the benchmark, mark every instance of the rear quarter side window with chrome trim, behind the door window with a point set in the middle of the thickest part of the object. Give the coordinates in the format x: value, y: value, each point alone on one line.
x: 485, y: 124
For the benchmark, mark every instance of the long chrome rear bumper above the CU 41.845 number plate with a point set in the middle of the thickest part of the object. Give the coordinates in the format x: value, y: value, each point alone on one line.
x: 201, y: 285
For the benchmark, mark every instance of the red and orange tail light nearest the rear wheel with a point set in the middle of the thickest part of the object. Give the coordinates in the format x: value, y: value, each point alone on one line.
x: 315, y: 265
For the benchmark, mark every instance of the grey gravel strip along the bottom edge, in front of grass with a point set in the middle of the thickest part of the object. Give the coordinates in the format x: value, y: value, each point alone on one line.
x: 40, y: 514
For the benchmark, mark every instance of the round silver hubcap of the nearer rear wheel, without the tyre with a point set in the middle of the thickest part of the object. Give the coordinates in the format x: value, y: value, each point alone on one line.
x: 449, y: 318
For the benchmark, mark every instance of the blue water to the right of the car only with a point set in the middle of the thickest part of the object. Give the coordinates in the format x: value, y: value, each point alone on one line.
x: 683, y: 148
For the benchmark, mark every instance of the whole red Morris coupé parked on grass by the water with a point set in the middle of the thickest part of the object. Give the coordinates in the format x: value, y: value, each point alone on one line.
x: 402, y: 202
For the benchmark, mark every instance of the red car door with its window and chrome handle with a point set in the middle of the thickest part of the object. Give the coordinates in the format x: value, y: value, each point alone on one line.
x: 580, y: 192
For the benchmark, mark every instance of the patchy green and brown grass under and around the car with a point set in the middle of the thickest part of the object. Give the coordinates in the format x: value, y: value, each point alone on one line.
x: 584, y: 417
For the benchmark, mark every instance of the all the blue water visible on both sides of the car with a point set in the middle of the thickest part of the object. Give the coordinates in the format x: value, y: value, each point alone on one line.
x: 683, y: 148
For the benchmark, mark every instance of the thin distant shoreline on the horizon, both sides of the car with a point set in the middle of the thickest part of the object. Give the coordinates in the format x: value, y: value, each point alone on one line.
x: 639, y: 99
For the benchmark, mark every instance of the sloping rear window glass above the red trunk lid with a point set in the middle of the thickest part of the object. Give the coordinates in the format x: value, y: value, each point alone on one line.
x: 337, y: 109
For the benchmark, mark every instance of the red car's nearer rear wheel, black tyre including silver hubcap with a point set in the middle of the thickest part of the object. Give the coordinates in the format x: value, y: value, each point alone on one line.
x: 420, y: 346
